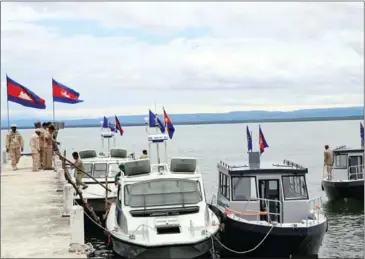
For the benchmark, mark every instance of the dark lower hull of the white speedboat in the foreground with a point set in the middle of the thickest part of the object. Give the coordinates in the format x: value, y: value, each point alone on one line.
x: 130, y: 250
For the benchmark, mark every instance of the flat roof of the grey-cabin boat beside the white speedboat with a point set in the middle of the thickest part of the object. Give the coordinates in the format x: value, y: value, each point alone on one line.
x: 284, y: 167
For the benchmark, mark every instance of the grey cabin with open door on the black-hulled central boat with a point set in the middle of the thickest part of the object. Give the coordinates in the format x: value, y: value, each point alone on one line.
x: 264, y: 192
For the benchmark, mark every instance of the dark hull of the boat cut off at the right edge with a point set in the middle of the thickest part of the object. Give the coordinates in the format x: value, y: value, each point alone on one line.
x: 341, y: 190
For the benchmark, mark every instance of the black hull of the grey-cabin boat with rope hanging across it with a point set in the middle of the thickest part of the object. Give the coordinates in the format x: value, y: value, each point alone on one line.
x: 281, y: 242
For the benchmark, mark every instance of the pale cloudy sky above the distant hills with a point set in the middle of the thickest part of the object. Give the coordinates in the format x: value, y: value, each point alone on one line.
x: 188, y: 57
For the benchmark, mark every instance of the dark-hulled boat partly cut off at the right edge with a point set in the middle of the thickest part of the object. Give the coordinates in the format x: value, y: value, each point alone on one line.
x: 346, y: 179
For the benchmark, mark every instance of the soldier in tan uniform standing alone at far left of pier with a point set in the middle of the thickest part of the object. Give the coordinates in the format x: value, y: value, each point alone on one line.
x: 14, y: 145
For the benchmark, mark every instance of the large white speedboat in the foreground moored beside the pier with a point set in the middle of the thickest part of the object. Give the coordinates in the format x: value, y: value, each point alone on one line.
x: 161, y: 210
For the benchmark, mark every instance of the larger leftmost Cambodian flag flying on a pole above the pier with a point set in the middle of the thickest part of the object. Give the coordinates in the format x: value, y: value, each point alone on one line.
x: 18, y: 93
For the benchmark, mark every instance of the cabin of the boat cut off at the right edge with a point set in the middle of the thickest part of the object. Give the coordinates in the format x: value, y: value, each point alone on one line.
x: 348, y: 164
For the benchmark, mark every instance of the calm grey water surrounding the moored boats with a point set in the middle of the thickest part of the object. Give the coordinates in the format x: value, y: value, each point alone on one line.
x: 301, y: 142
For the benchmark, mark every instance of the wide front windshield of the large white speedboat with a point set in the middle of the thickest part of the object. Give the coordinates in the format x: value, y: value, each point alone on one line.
x: 162, y: 192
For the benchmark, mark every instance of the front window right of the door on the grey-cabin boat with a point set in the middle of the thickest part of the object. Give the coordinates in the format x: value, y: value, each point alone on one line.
x: 295, y: 187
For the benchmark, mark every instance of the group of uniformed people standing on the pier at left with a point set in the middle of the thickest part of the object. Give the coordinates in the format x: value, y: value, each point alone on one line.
x: 42, y: 144
